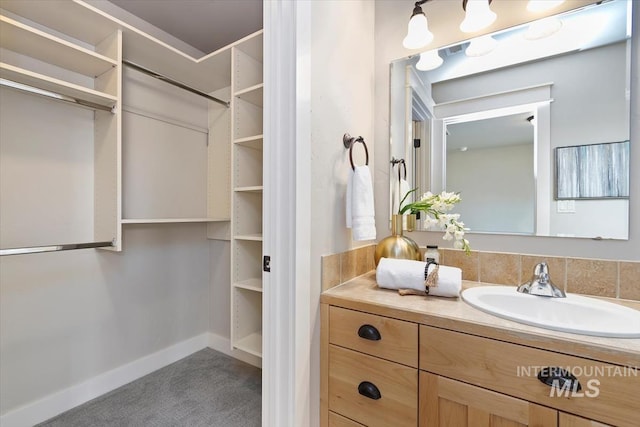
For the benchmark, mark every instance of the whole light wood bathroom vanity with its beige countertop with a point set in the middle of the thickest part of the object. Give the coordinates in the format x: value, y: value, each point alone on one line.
x: 391, y: 360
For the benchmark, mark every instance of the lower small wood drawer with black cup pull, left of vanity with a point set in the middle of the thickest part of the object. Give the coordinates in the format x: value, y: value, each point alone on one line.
x: 397, y: 384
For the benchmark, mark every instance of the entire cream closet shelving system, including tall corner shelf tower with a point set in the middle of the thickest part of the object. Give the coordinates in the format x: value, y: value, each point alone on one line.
x: 77, y: 50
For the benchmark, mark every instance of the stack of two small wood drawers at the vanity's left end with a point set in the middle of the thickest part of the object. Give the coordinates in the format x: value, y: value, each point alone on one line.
x: 372, y: 376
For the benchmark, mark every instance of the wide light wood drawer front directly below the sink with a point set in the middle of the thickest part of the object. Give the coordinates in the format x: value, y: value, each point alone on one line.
x: 609, y: 392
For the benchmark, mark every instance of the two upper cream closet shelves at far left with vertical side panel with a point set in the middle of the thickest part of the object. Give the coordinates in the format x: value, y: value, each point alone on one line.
x: 86, y: 73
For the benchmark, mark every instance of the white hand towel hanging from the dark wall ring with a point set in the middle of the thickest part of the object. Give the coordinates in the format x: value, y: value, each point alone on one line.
x: 360, y: 206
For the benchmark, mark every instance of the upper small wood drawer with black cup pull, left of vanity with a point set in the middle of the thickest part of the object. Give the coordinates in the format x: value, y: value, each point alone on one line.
x: 390, y: 339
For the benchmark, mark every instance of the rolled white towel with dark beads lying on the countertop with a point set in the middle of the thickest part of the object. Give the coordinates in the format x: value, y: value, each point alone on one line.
x: 408, y: 274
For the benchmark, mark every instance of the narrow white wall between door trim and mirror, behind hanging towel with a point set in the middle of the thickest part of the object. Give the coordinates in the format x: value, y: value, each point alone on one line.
x: 342, y: 88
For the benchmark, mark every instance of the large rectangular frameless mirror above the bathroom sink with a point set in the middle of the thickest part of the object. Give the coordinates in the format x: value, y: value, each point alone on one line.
x: 542, y: 107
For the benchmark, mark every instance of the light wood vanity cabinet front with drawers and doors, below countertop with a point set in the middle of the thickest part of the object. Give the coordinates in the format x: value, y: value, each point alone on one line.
x: 463, y: 380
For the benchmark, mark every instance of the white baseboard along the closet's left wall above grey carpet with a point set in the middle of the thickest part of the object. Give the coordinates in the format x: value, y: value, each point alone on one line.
x: 59, y: 402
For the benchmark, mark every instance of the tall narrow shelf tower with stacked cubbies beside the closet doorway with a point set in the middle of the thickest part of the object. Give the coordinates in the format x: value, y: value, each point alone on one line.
x: 247, y: 200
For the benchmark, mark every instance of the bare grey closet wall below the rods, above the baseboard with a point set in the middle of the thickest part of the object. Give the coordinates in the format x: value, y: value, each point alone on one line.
x: 69, y: 316
